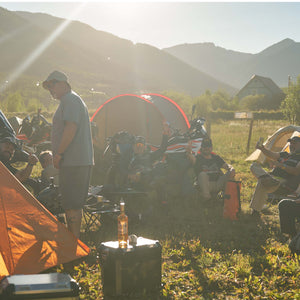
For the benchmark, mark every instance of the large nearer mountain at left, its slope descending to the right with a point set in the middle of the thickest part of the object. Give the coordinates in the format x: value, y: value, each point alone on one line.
x: 93, y: 59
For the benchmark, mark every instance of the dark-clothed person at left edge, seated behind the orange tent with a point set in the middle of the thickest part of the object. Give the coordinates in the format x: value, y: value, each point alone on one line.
x: 7, y: 149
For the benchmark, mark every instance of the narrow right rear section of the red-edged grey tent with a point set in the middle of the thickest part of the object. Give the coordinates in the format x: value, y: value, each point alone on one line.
x: 171, y: 111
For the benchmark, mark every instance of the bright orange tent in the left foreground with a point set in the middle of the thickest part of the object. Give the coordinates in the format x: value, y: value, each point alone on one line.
x: 31, y: 238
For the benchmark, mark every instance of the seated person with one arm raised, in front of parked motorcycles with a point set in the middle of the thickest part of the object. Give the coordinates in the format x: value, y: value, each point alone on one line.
x: 141, y: 166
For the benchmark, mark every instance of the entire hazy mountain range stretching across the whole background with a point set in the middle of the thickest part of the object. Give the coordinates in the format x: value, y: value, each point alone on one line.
x: 111, y: 64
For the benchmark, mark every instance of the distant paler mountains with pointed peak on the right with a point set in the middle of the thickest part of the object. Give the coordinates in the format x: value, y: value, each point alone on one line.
x: 236, y: 68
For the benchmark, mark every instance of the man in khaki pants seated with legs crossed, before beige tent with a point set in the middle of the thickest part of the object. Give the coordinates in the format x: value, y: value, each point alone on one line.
x: 286, y: 172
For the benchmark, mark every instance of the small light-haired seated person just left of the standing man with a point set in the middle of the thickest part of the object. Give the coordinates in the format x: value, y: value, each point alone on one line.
x: 46, y: 160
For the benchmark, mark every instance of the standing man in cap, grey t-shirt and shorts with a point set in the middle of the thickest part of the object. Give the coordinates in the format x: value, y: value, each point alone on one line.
x: 72, y: 147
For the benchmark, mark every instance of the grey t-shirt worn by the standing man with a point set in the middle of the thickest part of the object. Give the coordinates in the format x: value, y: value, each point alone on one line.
x: 80, y: 150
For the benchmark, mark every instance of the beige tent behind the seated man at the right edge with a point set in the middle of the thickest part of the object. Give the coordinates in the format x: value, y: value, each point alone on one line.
x: 276, y: 142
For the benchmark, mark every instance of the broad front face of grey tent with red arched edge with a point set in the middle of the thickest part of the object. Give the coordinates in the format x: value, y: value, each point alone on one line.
x: 129, y: 112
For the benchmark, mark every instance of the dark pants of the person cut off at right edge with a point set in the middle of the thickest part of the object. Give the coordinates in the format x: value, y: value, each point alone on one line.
x: 289, y: 211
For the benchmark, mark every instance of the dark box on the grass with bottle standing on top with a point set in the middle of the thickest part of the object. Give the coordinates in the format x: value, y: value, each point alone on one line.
x: 135, y: 270
